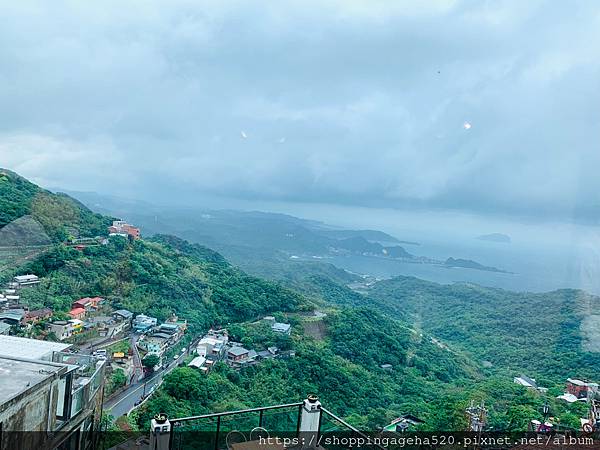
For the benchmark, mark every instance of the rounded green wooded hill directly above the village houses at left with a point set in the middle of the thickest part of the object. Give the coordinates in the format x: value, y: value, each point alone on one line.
x: 152, y: 277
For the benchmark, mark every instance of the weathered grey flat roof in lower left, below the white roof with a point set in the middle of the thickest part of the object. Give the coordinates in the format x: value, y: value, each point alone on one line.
x: 18, y: 375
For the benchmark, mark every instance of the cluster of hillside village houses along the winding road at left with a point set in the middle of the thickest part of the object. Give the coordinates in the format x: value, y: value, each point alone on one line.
x: 133, y: 345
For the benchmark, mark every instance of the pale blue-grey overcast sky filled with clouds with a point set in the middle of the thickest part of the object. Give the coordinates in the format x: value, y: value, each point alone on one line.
x: 345, y: 102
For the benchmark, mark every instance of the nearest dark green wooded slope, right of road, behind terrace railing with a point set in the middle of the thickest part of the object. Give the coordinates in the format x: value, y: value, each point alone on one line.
x: 434, y: 383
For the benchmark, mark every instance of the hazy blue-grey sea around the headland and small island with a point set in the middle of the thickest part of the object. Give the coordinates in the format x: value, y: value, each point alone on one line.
x: 543, y: 255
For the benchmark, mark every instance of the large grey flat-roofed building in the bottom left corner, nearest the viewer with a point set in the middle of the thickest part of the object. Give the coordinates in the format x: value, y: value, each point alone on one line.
x: 58, y: 395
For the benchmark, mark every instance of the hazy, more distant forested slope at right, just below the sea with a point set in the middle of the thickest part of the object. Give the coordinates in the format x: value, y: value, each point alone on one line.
x: 538, y: 334
